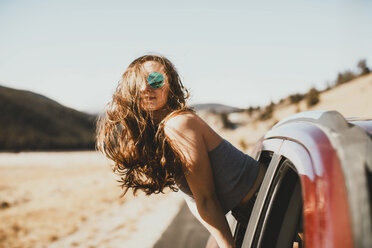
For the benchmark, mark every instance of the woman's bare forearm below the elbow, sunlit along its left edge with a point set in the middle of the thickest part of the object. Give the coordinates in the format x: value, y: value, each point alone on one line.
x: 214, y: 220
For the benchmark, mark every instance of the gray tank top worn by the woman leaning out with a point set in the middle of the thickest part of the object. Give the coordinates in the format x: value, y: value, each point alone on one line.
x: 234, y: 174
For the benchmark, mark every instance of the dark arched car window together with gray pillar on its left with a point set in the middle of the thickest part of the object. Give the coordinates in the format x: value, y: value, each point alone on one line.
x: 278, y: 220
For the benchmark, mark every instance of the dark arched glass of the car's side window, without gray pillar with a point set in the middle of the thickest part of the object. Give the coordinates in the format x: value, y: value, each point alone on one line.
x: 283, y: 223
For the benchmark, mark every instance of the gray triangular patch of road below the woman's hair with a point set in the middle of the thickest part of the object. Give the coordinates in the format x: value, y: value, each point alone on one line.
x: 185, y: 231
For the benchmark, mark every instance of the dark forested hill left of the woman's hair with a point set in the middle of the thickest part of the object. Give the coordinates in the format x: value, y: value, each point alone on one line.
x: 30, y: 121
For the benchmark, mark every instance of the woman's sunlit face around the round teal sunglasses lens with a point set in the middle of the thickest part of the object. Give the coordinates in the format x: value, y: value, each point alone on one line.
x: 154, y: 98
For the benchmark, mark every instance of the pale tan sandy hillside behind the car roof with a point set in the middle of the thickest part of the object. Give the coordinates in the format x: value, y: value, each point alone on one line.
x: 351, y: 99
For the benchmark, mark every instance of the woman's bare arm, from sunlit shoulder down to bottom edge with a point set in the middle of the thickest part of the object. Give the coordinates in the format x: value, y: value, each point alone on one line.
x: 186, y: 133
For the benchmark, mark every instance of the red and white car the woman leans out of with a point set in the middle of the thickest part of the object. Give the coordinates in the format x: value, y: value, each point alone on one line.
x: 317, y: 190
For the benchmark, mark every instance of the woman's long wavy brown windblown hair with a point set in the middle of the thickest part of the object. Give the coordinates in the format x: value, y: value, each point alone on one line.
x: 128, y: 135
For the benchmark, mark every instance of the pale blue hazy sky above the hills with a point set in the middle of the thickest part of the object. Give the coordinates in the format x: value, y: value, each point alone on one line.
x: 238, y: 53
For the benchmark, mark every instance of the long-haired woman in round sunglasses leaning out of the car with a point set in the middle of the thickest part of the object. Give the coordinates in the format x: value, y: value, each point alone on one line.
x: 156, y: 141
